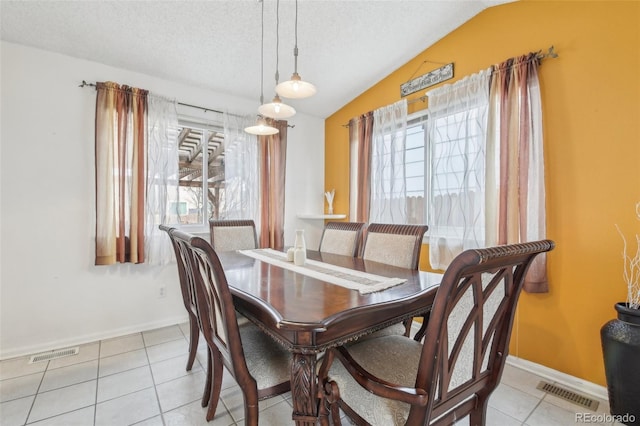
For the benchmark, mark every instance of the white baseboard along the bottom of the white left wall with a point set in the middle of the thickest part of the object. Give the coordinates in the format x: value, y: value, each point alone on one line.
x: 89, y: 338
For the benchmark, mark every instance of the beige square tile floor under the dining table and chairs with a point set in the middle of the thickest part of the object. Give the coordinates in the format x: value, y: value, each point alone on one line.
x: 141, y: 379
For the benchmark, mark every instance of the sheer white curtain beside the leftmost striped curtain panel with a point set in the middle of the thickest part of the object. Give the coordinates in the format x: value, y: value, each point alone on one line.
x: 162, y: 176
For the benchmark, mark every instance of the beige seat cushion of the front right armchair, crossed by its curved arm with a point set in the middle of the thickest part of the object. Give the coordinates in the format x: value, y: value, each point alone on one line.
x: 392, y: 358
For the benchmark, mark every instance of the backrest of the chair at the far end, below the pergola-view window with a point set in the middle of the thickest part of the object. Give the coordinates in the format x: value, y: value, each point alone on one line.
x: 231, y: 235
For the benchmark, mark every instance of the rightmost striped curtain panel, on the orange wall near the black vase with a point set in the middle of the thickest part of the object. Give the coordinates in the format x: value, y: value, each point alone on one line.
x: 515, y: 142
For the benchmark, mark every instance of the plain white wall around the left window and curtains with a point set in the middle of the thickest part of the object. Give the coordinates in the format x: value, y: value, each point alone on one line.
x: 51, y: 294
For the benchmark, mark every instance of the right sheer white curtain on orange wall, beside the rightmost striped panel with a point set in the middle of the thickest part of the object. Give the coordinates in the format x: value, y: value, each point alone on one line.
x: 456, y: 133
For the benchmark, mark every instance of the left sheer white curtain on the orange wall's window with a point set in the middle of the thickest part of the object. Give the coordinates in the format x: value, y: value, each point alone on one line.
x: 388, y: 185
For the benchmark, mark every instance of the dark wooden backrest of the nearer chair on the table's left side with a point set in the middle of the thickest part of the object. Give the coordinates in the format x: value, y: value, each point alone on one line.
x: 216, y: 313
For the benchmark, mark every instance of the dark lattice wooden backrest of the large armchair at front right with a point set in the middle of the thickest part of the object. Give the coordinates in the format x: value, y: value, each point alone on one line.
x: 467, y: 338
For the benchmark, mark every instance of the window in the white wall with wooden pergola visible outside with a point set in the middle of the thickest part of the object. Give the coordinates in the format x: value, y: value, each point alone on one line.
x: 200, y: 194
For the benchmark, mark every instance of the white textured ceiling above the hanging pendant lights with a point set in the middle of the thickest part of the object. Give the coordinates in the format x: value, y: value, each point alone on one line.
x: 344, y: 46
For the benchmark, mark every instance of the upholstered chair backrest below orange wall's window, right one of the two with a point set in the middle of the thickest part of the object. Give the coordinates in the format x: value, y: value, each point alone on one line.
x: 397, y: 245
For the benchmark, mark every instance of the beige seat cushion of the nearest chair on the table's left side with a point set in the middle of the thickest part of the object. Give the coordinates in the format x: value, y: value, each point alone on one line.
x: 268, y: 362
